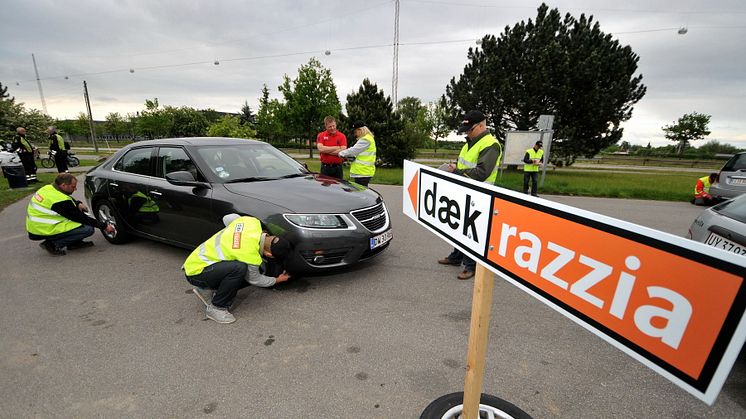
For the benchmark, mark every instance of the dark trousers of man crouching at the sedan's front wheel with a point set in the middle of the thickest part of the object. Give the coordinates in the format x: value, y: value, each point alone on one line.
x: 225, y: 277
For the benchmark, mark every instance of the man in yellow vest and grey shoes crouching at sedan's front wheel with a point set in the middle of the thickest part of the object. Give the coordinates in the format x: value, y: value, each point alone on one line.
x: 229, y: 261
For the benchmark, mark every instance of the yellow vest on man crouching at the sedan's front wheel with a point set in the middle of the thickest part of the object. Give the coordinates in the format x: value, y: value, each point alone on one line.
x: 238, y: 241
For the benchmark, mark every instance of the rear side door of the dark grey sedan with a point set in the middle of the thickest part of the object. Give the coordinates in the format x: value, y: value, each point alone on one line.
x: 130, y: 180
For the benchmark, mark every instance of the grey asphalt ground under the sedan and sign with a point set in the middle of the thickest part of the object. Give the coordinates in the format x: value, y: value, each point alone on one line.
x: 114, y: 331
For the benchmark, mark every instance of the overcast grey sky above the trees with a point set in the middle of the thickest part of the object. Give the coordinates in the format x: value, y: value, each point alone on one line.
x: 172, y: 47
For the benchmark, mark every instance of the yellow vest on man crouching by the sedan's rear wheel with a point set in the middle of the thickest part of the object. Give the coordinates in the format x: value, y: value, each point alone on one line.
x: 41, y: 219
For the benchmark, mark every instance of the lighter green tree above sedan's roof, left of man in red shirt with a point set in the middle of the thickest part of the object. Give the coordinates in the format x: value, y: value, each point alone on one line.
x: 308, y: 99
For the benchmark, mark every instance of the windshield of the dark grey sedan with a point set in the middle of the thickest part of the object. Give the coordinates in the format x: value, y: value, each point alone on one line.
x: 249, y: 162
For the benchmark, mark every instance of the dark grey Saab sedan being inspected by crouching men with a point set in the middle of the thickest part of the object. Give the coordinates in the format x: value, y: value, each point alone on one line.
x: 177, y: 191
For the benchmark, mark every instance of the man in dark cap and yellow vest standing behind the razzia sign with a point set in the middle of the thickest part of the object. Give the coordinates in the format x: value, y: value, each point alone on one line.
x: 479, y: 159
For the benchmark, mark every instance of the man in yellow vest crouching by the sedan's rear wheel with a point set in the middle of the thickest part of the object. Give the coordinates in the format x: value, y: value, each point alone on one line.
x: 54, y: 216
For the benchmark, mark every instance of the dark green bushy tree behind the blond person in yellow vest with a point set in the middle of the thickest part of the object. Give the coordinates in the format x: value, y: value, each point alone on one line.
x: 376, y: 110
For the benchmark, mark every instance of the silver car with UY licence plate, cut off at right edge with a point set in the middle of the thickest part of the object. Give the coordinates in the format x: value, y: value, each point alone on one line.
x: 722, y: 226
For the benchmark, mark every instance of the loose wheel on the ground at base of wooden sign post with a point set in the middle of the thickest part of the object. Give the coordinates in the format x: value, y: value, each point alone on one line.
x: 451, y: 406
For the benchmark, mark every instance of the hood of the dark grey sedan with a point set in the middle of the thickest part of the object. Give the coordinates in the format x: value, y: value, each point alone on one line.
x: 308, y: 194
